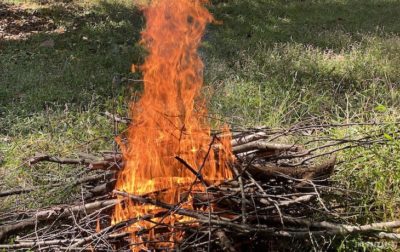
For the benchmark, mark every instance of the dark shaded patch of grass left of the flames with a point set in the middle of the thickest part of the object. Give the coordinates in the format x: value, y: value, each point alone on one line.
x: 90, y: 47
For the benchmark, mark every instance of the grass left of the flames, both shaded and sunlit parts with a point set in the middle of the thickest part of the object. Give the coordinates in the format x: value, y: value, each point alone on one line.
x: 51, y: 99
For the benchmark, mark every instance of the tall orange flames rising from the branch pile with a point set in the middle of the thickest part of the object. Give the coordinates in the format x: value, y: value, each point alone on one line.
x: 169, y: 121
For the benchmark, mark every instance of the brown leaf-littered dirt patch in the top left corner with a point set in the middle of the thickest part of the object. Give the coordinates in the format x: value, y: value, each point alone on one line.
x: 16, y: 22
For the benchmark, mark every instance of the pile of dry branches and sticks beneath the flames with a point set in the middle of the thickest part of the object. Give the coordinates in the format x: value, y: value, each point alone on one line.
x: 280, y: 192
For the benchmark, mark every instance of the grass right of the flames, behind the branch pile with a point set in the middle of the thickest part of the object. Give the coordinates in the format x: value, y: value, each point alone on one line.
x: 302, y: 59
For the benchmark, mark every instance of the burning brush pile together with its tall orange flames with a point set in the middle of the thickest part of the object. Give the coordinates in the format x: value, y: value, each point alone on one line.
x: 174, y: 185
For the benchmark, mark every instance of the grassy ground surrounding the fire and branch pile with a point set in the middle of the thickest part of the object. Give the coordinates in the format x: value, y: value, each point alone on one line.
x: 269, y: 62
